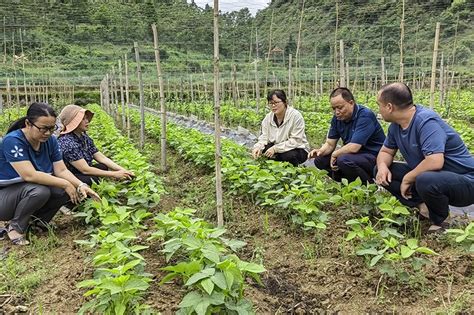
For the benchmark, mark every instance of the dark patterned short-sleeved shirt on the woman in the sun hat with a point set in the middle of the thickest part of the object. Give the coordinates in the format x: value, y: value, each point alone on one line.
x: 75, y: 148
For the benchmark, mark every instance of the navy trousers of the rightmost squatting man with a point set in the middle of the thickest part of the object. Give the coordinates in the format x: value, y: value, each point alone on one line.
x: 437, y: 189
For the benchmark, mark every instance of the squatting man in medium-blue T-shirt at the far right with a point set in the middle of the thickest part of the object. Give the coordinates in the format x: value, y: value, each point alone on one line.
x: 439, y: 170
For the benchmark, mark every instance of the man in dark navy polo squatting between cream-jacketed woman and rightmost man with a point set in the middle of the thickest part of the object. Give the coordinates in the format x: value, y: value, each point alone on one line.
x: 362, y: 137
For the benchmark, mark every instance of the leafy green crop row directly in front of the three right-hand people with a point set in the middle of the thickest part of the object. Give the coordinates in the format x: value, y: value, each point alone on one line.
x: 383, y: 231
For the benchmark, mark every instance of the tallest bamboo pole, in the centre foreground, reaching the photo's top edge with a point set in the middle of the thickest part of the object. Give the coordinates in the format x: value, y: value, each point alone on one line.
x: 217, y: 124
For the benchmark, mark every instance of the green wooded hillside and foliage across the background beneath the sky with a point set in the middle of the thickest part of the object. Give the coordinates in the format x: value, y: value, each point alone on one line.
x: 81, y: 39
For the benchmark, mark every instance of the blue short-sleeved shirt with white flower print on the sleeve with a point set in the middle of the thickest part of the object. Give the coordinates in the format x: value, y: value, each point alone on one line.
x: 15, y: 148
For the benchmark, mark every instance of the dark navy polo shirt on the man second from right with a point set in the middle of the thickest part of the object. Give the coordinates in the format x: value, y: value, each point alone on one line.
x: 363, y: 128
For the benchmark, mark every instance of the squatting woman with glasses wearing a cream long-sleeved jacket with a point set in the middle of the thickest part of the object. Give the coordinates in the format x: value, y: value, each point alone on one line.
x: 282, y: 136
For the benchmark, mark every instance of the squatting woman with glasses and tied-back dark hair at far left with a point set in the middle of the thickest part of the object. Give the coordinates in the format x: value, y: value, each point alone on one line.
x: 34, y: 182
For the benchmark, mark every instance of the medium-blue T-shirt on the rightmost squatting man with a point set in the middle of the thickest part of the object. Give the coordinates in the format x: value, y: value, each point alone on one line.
x: 429, y: 134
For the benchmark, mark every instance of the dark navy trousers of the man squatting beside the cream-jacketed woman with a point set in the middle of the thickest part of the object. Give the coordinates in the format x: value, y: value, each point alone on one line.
x: 350, y: 166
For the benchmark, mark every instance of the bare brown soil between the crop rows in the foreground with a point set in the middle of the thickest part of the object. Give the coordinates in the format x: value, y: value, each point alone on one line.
x: 307, y: 272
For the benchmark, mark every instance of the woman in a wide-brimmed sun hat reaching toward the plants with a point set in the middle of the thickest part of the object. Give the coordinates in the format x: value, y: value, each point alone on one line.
x: 79, y: 151
